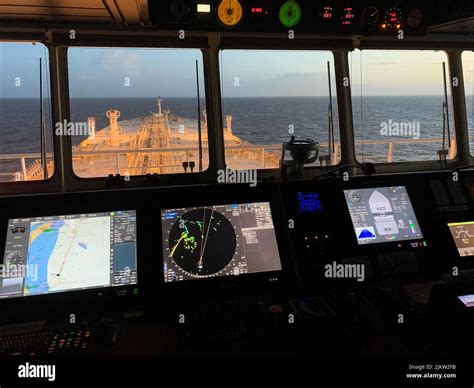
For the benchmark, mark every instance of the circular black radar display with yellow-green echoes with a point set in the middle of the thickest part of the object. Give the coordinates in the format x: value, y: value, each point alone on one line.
x: 202, y: 242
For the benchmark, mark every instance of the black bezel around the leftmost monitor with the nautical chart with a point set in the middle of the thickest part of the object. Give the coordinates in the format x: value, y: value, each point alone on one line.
x: 59, y: 305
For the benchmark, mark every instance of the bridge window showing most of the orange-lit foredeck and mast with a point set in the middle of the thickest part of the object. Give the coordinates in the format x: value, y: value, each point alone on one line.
x: 136, y: 111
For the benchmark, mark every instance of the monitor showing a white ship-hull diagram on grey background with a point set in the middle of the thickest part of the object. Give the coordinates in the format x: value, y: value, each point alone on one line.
x: 382, y: 214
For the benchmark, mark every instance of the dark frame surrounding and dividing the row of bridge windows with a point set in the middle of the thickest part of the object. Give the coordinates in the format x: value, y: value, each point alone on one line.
x: 58, y: 40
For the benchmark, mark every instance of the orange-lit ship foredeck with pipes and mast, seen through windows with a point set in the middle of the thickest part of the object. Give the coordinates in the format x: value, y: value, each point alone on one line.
x: 157, y: 143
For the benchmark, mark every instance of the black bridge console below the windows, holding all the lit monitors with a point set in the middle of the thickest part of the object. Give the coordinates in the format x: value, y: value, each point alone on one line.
x: 327, y: 268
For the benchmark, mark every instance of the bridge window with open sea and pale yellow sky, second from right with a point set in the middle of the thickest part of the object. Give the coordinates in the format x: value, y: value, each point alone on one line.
x: 400, y: 109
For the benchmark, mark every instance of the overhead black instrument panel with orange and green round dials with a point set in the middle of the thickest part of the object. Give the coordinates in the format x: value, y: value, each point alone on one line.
x: 301, y: 16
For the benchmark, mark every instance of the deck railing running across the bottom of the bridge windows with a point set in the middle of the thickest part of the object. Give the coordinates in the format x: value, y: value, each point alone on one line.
x: 262, y: 156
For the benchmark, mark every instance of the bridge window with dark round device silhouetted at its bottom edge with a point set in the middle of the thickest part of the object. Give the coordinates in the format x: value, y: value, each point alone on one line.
x: 269, y: 96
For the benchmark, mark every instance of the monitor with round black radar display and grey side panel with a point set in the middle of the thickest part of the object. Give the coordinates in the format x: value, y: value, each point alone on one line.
x: 204, y: 242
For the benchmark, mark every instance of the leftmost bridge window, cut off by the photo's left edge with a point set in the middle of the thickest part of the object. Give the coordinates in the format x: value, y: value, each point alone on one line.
x: 26, y: 149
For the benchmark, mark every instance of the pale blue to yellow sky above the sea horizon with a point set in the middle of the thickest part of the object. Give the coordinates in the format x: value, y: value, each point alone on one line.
x: 121, y: 72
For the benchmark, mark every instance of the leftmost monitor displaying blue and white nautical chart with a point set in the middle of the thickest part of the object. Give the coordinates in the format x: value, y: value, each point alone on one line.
x: 69, y: 252
